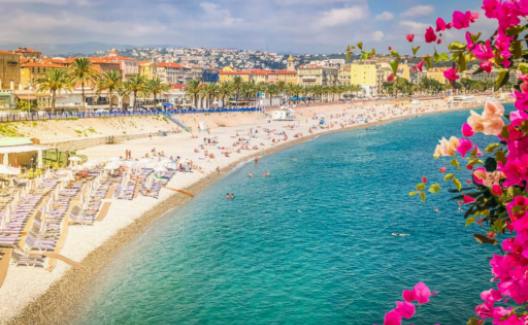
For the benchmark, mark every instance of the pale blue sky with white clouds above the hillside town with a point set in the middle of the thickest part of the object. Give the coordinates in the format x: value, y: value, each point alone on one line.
x: 284, y: 26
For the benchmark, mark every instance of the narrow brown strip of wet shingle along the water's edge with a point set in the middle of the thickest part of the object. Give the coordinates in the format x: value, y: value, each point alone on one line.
x: 73, y: 284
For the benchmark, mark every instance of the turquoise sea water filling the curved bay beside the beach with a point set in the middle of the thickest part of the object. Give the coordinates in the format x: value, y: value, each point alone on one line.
x: 311, y: 244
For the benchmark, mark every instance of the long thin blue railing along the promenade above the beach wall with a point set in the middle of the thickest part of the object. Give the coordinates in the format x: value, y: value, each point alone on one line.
x: 44, y: 116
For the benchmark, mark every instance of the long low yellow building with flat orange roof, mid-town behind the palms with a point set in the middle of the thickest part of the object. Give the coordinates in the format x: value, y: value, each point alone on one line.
x: 228, y: 74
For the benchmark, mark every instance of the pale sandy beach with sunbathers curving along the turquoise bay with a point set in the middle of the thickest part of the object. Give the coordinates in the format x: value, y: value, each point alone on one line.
x: 34, y: 295
